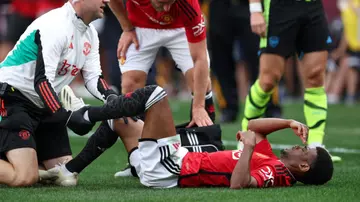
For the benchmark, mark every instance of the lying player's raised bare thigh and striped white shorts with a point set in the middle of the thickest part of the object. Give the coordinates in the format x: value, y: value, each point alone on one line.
x: 158, y: 157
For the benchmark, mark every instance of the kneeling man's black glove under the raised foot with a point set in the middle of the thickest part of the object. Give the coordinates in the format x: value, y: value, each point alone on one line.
x: 78, y: 124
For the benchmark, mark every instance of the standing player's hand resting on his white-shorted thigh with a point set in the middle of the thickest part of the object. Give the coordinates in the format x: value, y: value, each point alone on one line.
x: 126, y: 39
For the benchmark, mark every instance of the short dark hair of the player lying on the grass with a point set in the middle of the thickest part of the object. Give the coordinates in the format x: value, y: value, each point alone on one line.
x: 321, y: 170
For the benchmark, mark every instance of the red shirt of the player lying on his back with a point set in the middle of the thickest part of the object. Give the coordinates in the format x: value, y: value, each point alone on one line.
x: 215, y: 169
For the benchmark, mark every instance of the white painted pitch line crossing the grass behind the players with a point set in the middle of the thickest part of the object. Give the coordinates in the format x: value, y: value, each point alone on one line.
x: 274, y: 146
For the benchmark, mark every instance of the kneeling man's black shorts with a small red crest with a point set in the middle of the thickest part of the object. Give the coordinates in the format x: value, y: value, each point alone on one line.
x: 22, y: 125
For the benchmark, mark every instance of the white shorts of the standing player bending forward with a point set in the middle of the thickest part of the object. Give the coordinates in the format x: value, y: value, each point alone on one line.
x: 150, y: 40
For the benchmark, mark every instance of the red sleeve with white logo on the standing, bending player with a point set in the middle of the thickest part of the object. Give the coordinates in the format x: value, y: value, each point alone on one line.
x: 194, y: 20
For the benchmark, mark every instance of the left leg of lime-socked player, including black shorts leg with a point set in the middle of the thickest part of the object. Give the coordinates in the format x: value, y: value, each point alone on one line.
x: 278, y: 44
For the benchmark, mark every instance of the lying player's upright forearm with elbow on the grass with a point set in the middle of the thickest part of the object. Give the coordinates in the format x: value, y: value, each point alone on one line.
x: 241, y: 177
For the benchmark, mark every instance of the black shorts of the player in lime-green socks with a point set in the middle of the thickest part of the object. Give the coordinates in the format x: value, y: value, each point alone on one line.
x: 294, y: 27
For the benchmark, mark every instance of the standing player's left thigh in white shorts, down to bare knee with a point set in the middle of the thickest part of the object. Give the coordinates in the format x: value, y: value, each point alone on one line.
x: 138, y: 62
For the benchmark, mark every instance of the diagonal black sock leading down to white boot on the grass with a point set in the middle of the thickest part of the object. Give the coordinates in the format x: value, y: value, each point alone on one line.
x: 101, y: 140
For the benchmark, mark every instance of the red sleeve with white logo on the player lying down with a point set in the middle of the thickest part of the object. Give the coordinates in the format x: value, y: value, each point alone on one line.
x: 264, y: 176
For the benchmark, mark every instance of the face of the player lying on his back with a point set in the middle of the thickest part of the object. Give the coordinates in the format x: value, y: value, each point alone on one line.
x: 299, y: 154
